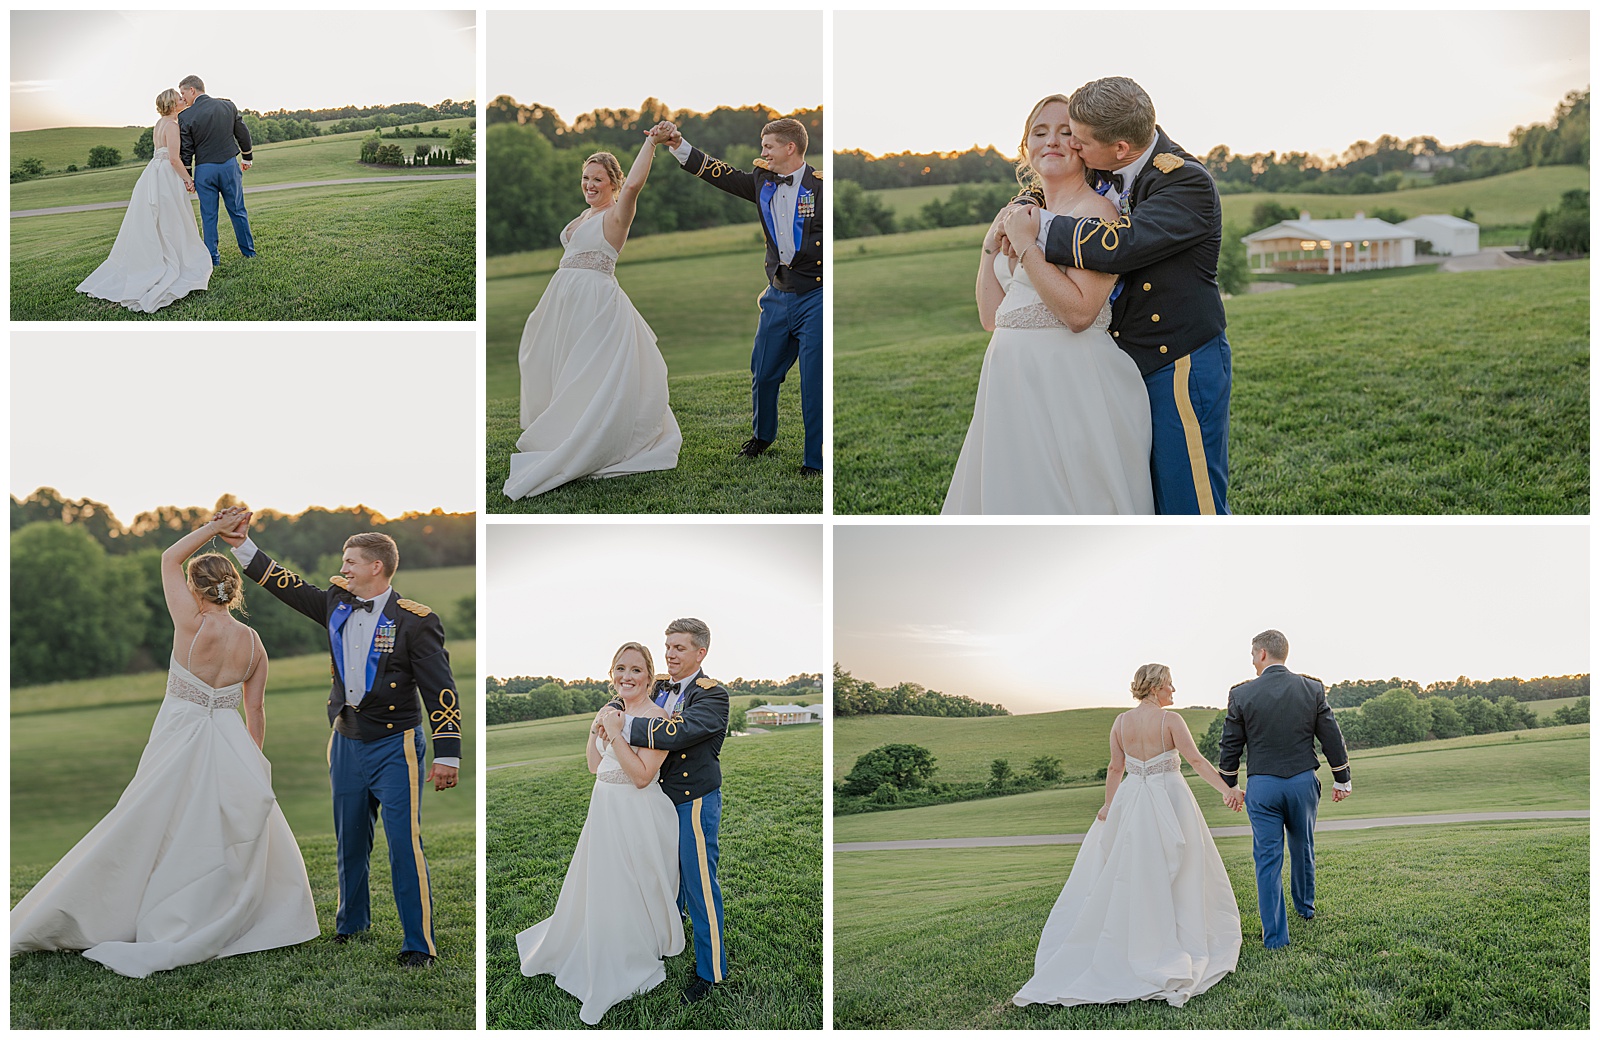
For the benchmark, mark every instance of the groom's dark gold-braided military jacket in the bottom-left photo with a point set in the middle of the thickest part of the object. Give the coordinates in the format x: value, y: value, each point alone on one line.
x: 409, y: 679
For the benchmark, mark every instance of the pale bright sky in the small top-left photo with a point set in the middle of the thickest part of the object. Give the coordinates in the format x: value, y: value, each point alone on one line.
x: 106, y: 68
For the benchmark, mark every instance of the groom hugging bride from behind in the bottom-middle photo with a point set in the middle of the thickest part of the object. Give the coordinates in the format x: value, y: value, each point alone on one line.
x: 692, y: 775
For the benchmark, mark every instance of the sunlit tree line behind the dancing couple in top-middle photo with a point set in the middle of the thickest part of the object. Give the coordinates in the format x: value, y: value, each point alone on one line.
x: 534, y: 178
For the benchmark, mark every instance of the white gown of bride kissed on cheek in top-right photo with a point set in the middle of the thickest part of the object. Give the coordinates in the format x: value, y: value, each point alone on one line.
x: 1062, y: 423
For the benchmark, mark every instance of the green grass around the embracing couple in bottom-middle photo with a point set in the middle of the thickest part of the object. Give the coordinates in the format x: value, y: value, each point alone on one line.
x: 770, y: 876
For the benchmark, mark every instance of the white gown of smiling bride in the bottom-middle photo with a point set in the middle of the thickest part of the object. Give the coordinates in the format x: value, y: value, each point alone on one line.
x: 617, y: 916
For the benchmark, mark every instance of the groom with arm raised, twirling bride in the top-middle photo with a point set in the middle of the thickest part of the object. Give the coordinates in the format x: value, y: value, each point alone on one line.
x: 788, y: 196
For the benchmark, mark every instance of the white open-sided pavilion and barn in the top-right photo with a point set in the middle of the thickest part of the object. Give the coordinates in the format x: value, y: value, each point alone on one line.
x: 1337, y: 247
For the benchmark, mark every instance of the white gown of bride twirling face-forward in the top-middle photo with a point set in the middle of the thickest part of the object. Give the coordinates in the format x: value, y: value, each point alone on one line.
x: 594, y: 386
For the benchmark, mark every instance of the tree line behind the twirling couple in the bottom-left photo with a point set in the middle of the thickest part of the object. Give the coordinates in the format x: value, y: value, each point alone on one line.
x: 87, y: 591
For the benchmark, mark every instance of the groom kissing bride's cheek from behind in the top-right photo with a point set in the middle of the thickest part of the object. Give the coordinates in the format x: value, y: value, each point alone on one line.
x: 1167, y: 311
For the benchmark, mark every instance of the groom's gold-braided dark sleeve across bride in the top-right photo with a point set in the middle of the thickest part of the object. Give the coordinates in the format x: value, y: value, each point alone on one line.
x: 1182, y: 212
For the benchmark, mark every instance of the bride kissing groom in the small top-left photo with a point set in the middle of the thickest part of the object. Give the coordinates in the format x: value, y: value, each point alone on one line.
x: 158, y: 257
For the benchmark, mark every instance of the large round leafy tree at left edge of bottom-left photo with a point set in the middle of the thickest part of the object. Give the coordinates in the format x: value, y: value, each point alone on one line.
x: 76, y: 612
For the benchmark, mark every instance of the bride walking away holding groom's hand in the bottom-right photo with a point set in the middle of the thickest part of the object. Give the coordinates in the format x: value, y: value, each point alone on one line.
x: 1148, y: 911
